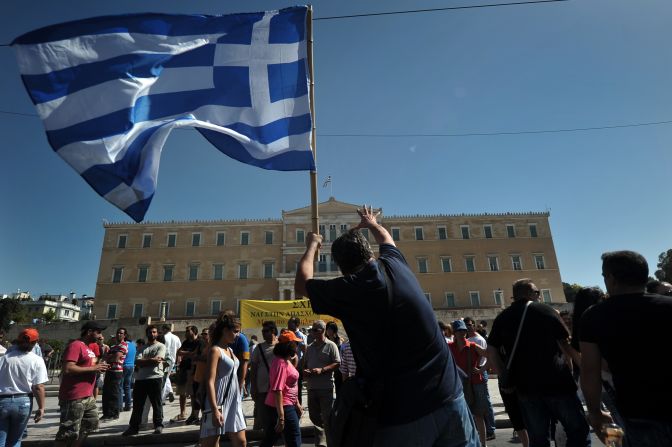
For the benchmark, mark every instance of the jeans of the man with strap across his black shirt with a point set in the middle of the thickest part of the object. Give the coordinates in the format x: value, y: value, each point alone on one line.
x: 538, y: 411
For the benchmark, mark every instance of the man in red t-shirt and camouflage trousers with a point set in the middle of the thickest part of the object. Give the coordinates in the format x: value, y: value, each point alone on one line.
x: 79, y: 415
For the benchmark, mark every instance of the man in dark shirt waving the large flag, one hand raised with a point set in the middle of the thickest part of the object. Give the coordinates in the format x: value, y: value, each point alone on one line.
x: 422, y: 401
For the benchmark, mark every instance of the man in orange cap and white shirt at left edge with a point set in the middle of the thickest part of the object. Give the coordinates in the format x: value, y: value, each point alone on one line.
x: 22, y: 375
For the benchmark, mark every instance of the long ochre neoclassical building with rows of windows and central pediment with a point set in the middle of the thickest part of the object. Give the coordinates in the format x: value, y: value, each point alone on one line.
x: 184, y: 270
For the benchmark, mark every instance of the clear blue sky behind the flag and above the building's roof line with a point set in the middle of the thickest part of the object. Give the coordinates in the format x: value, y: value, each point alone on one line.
x: 575, y: 64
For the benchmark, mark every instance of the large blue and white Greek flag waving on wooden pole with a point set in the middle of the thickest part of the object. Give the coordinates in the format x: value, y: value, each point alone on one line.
x: 109, y: 90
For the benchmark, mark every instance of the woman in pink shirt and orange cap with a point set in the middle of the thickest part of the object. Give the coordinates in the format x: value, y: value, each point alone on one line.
x: 282, y: 402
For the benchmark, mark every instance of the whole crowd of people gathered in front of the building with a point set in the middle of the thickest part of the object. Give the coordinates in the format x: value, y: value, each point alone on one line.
x: 548, y: 365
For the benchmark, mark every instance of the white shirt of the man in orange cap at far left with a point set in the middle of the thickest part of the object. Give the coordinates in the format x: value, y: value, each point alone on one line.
x: 20, y: 371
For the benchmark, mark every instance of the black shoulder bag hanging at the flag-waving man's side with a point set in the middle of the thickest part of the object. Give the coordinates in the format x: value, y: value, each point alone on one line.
x: 353, y: 420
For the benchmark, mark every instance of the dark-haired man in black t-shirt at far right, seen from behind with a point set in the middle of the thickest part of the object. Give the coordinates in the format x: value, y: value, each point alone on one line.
x: 642, y: 394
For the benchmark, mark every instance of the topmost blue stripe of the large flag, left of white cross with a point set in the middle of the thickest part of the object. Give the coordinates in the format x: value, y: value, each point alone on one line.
x: 237, y: 26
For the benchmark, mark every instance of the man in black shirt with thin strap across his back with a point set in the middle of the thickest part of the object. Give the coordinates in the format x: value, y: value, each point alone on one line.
x: 540, y: 369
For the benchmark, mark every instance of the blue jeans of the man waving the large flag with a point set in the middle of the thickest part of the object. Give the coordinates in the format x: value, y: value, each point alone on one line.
x: 450, y: 426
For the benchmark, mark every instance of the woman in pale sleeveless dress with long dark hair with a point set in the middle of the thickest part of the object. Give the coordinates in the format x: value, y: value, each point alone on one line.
x: 223, y: 412
